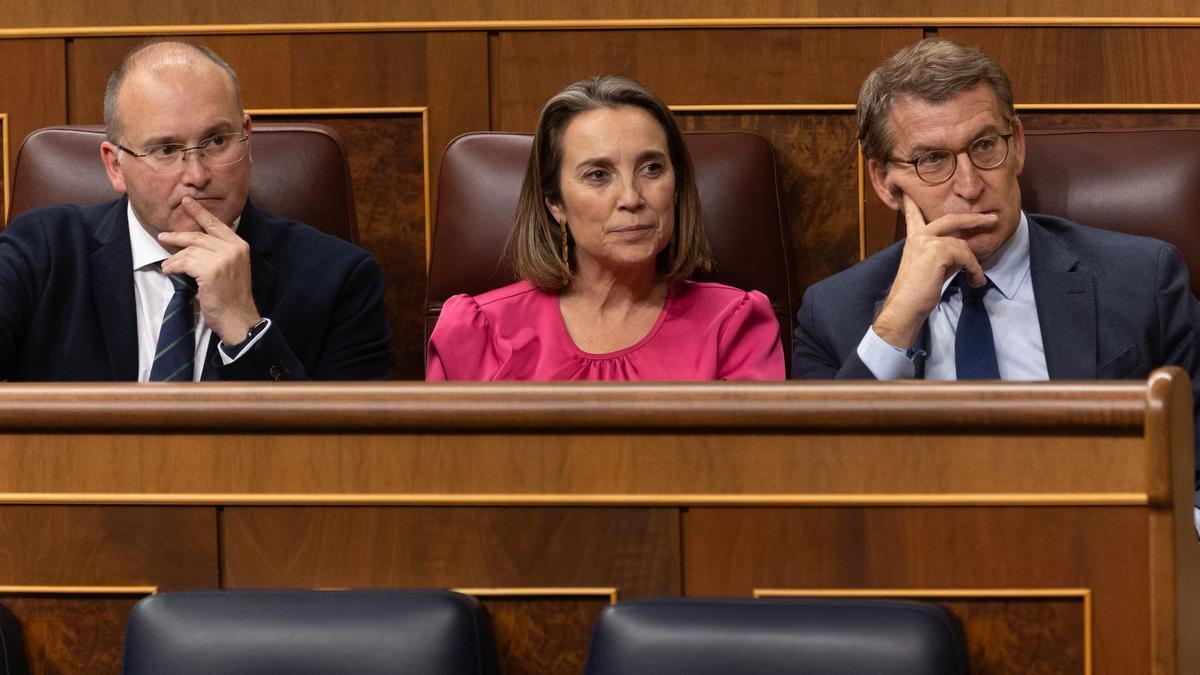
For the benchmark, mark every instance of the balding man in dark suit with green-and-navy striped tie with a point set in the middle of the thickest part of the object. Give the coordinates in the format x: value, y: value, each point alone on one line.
x: 183, y: 279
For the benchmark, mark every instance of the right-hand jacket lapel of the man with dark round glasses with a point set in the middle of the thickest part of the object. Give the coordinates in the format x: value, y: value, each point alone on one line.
x: 1066, y: 300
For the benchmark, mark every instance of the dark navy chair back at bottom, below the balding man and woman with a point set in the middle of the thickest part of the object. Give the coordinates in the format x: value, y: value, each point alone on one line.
x: 326, y: 632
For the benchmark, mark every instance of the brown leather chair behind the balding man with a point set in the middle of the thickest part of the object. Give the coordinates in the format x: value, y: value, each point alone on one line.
x: 301, y: 172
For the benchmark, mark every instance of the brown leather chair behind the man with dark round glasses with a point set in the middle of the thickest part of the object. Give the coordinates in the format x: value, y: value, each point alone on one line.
x: 1136, y: 181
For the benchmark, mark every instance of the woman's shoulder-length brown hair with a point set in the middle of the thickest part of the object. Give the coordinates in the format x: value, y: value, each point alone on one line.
x: 535, y: 247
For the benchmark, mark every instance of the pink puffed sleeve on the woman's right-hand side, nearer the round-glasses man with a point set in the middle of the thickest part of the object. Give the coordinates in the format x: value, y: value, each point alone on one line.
x: 748, y: 345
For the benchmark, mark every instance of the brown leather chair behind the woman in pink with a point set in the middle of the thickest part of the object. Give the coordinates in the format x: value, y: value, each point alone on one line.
x: 481, y: 183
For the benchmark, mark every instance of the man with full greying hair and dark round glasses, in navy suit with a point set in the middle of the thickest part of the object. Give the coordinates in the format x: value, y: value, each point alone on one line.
x: 980, y: 290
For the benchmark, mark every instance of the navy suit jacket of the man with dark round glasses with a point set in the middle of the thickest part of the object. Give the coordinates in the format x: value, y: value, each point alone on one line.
x: 1111, y: 307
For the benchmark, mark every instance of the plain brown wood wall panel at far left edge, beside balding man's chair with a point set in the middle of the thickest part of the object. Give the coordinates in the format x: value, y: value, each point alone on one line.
x: 33, y: 91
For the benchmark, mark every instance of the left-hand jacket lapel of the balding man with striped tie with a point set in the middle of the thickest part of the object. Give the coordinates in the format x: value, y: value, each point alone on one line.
x: 112, y: 290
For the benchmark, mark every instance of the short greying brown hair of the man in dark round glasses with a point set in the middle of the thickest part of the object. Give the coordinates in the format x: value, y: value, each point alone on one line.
x: 933, y: 71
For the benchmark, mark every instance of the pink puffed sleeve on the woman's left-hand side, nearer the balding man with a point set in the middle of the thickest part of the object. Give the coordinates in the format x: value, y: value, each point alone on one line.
x: 463, y: 347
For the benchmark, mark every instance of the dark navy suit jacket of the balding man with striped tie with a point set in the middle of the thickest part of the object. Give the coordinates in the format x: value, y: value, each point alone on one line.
x: 68, y: 314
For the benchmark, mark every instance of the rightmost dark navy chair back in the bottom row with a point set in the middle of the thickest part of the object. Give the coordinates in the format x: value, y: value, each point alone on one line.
x: 743, y: 637
